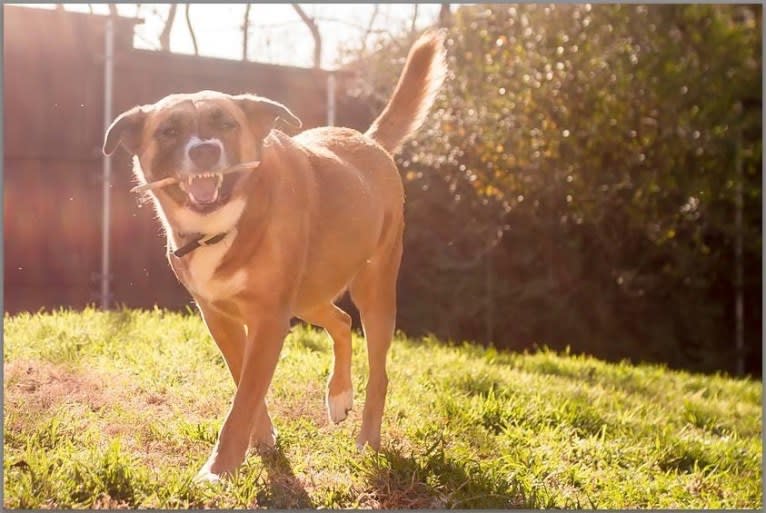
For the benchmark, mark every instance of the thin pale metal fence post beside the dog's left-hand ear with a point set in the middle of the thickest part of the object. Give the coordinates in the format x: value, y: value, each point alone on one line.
x: 107, y: 164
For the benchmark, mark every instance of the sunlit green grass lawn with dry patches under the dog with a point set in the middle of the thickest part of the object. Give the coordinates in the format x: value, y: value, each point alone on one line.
x: 122, y: 408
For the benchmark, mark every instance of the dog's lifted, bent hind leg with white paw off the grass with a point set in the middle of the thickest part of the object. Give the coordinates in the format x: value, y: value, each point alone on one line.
x: 337, y: 323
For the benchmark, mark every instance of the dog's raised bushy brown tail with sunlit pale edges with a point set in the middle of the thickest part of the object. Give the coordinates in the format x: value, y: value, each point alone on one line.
x: 421, y: 79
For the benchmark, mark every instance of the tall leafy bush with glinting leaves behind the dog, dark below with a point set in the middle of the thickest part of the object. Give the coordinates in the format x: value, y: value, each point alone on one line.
x: 576, y: 182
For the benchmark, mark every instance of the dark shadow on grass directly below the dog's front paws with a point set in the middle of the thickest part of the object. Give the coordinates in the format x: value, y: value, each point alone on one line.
x: 284, y: 490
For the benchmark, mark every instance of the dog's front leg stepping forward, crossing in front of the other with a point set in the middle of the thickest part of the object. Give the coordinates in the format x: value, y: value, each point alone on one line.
x: 262, y: 347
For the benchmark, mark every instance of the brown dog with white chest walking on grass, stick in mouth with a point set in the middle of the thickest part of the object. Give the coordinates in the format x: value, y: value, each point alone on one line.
x: 322, y: 213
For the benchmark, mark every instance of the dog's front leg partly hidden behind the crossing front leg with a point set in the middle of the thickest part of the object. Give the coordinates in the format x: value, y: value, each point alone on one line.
x: 229, y: 336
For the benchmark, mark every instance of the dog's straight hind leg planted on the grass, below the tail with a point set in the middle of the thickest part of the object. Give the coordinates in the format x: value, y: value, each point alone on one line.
x: 373, y: 291
